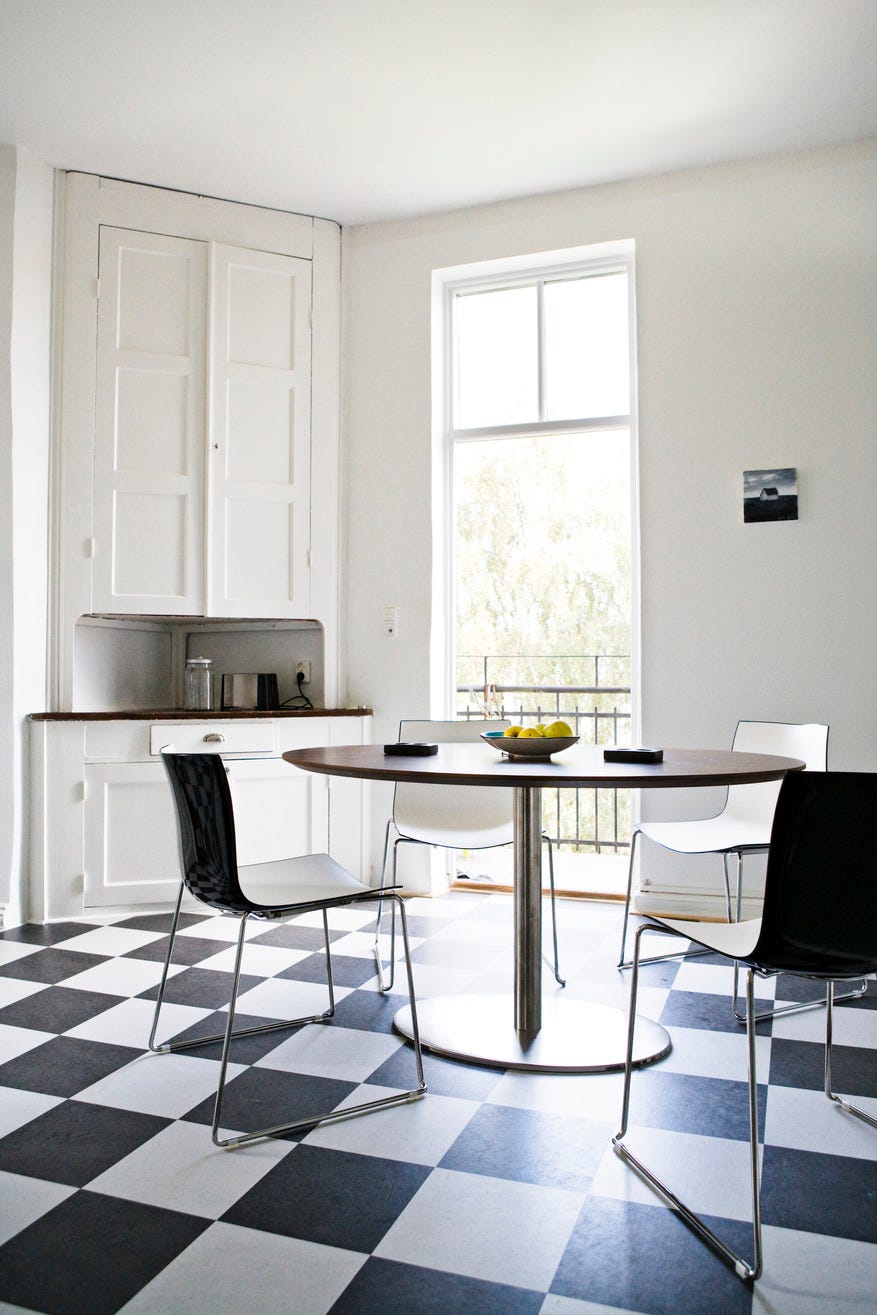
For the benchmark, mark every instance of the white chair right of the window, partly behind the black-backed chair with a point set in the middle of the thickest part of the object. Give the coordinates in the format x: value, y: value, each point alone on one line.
x: 744, y: 826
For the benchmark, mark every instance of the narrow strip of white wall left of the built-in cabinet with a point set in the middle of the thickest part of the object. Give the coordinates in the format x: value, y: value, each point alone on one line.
x: 26, y: 302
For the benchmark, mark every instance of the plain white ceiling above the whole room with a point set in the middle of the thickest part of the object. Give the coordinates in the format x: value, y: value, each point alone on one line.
x: 373, y: 110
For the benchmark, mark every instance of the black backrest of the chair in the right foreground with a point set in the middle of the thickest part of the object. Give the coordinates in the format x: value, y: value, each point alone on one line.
x: 820, y: 913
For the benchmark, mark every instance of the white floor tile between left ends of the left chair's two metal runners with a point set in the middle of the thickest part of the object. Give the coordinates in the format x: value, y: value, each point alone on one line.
x: 169, y: 1086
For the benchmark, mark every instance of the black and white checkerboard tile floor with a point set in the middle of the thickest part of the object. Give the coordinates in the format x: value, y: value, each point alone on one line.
x: 498, y: 1193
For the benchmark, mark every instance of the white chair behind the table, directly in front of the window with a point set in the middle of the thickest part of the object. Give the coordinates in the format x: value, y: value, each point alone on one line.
x: 453, y: 817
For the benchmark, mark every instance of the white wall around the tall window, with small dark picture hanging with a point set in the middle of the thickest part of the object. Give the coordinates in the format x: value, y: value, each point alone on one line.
x: 757, y: 290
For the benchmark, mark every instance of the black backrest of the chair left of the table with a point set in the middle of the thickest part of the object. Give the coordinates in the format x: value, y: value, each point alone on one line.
x: 206, y: 829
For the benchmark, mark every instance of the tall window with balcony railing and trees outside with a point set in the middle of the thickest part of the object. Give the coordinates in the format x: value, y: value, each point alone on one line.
x: 537, y: 437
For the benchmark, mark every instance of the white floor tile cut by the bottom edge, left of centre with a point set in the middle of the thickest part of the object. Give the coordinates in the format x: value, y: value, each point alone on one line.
x: 241, y: 1270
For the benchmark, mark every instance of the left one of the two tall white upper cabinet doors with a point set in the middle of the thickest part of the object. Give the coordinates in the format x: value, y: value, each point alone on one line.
x: 151, y: 424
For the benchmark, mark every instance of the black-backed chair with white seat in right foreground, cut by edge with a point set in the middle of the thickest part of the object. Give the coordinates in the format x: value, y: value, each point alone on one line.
x: 818, y: 921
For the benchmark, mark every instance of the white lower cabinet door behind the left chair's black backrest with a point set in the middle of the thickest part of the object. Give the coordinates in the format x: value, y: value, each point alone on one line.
x: 130, y: 836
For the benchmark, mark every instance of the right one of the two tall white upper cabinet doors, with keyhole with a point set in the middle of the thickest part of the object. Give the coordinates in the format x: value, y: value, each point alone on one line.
x: 260, y: 470
